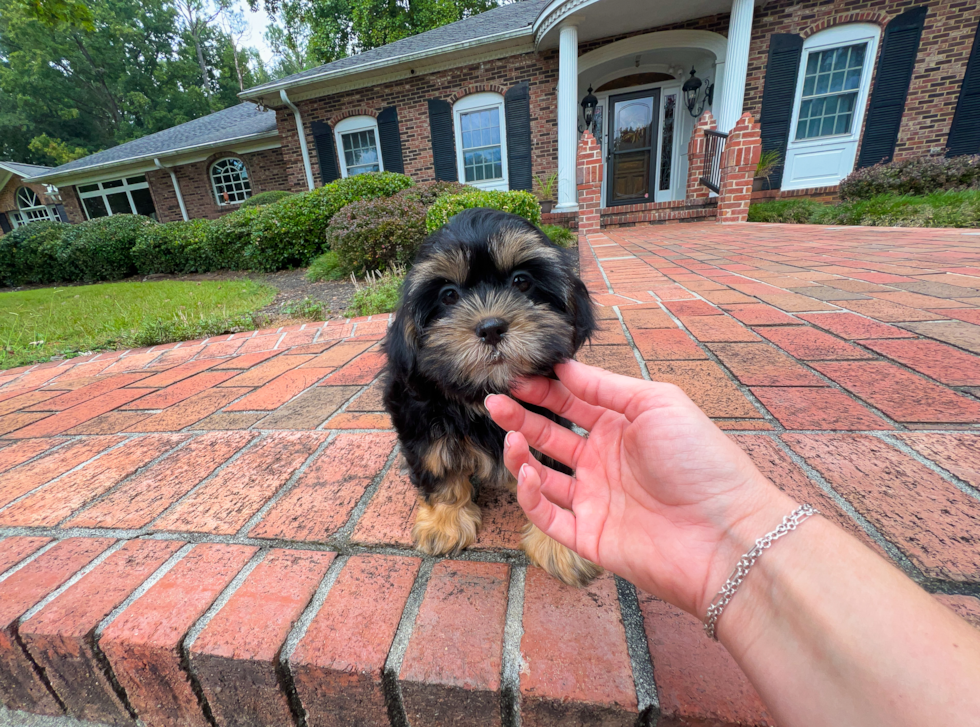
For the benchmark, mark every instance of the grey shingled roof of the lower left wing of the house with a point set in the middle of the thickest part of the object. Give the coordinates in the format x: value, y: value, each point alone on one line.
x: 234, y: 123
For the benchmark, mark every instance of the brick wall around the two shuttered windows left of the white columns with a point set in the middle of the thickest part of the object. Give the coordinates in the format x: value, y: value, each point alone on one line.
x: 411, y: 95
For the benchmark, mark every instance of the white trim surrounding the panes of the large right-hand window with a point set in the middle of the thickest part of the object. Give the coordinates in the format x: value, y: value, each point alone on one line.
x: 841, y: 35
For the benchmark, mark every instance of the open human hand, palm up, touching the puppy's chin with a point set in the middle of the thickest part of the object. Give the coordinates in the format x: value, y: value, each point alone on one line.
x: 660, y: 495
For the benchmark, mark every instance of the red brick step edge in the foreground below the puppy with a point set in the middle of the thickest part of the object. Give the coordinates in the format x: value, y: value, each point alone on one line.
x: 174, y: 633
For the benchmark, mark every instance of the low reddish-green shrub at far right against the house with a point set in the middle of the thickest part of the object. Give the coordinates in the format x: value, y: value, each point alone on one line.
x: 914, y: 176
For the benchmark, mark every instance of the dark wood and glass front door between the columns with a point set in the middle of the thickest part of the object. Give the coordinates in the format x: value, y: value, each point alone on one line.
x: 632, y: 147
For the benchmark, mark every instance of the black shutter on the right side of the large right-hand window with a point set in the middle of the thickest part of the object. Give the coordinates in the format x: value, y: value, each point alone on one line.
x: 895, y: 64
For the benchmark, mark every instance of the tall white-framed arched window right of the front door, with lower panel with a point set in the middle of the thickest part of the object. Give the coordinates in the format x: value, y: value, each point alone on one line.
x: 828, y: 109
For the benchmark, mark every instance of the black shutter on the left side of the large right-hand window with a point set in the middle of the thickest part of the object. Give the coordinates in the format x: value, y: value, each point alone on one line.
x: 778, y: 97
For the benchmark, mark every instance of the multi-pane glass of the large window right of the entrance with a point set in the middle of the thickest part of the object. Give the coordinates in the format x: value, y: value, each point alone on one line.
x: 831, y: 84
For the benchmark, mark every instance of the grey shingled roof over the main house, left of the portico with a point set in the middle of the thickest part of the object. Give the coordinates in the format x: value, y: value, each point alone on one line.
x: 492, y: 25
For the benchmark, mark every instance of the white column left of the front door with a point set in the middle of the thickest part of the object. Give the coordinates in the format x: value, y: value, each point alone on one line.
x: 567, y: 118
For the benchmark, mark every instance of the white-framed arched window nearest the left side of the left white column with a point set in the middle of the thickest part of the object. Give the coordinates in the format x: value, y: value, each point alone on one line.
x: 481, y: 141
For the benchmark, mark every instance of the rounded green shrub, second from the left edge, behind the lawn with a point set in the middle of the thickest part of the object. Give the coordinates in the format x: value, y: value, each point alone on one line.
x: 100, y: 249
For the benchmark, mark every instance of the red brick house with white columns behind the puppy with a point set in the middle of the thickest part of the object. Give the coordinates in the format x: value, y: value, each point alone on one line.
x: 497, y: 99
